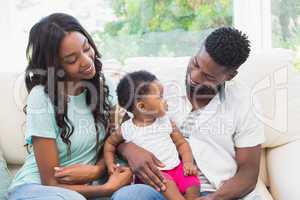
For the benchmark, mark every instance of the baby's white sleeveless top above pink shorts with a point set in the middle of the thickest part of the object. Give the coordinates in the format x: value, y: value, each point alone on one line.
x: 155, y: 138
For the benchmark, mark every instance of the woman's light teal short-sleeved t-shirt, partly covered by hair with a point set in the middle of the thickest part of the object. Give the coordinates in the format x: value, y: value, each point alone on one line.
x: 40, y: 121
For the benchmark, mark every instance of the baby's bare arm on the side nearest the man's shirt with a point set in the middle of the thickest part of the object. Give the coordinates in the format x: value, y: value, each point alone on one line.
x: 184, y: 151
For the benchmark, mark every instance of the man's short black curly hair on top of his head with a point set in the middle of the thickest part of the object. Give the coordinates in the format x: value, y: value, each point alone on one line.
x: 228, y: 47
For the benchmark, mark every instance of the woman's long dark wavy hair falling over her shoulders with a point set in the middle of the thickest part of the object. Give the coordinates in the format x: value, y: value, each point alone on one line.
x: 44, y: 68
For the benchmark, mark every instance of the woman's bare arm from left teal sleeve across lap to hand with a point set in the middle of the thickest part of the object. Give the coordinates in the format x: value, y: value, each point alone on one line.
x: 46, y: 155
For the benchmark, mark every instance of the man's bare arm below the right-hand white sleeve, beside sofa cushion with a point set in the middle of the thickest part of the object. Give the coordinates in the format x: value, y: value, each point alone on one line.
x: 244, y: 181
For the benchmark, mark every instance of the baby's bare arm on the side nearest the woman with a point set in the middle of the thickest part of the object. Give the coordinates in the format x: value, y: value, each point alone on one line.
x: 110, y: 147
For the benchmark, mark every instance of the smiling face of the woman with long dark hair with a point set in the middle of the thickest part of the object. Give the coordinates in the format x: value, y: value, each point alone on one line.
x: 77, y: 57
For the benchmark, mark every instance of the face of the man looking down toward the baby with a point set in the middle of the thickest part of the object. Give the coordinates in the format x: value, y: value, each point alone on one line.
x: 204, y: 76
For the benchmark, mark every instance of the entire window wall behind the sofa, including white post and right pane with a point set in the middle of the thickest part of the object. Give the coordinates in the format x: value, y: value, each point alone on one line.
x: 146, y: 28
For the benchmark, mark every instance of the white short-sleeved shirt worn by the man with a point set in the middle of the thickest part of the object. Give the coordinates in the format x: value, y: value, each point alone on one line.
x: 226, y: 123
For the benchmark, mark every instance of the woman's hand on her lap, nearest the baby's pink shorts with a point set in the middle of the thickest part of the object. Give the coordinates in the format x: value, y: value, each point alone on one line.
x: 120, y: 177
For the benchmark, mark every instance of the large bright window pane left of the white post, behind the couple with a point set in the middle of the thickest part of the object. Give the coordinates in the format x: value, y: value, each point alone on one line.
x: 124, y: 29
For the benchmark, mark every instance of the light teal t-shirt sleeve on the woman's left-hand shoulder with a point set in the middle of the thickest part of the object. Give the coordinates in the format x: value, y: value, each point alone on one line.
x: 40, y: 117
